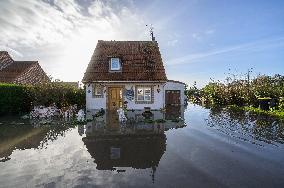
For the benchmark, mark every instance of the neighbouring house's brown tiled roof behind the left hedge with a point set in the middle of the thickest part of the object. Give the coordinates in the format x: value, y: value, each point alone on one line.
x: 20, y: 72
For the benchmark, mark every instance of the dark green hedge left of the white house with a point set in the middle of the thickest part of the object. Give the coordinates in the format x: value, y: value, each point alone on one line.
x: 21, y: 98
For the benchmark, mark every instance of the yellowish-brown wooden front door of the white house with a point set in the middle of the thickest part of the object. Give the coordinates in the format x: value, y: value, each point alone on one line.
x: 114, y: 98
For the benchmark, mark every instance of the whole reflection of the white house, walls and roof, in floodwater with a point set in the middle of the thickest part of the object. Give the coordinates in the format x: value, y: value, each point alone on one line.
x: 137, y: 143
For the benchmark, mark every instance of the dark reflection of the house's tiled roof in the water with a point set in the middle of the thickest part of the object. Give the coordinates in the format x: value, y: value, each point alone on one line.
x: 138, y: 152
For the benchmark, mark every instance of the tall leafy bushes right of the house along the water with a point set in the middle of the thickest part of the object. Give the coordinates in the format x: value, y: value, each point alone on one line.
x: 242, y: 92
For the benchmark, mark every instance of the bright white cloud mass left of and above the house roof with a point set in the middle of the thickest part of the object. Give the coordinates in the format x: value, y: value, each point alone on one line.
x: 60, y: 35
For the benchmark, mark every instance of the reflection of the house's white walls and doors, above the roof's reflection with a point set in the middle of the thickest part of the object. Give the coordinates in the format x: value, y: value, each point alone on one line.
x: 136, y: 123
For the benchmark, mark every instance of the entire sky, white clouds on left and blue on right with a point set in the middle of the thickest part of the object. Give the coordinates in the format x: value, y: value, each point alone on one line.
x: 199, y: 40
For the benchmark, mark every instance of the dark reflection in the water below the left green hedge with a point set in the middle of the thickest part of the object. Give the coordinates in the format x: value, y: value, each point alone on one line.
x: 24, y: 135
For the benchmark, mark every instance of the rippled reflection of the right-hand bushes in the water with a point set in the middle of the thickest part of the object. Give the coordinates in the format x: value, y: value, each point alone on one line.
x: 245, y: 126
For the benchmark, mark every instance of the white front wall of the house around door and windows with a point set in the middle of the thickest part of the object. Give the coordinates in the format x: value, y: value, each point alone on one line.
x: 98, y: 103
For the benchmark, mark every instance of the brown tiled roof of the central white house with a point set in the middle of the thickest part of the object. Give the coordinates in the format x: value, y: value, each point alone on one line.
x: 141, y: 61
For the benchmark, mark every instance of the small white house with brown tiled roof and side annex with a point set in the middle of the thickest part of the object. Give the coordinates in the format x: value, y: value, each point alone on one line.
x: 129, y: 74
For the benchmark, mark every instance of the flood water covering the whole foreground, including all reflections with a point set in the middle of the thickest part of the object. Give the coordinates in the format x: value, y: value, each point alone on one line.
x: 210, y: 148
